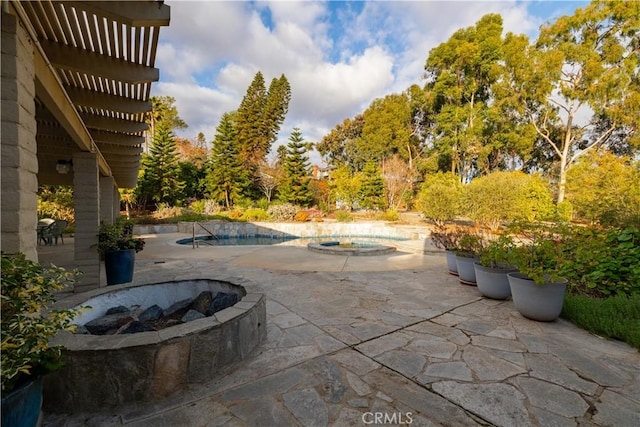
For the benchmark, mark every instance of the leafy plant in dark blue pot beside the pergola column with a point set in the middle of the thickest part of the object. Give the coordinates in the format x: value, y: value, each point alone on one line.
x: 118, y: 247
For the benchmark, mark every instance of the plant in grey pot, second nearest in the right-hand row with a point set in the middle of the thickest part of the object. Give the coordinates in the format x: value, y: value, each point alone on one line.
x: 493, y: 266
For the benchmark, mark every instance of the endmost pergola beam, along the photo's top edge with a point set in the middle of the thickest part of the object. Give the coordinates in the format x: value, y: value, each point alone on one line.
x: 134, y: 14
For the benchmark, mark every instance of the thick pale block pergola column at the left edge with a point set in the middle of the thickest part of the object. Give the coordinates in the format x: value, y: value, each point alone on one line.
x: 18, y: 141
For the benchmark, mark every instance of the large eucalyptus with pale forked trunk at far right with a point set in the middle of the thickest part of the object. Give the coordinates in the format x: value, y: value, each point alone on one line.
x: 578, y: 85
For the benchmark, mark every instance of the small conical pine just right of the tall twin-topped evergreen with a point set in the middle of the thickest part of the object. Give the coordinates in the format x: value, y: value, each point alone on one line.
x: 295, y: 187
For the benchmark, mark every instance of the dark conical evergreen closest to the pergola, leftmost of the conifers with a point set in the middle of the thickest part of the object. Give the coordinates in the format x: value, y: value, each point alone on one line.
x: 160, y: 175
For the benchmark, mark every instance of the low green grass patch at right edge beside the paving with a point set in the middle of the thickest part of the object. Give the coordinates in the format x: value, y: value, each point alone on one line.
x: 614, y: 317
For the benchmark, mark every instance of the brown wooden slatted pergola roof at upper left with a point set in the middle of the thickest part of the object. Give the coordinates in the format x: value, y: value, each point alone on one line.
x: 94, y: 66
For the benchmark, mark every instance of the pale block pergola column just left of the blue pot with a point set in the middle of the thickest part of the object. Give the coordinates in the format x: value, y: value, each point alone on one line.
x: 86, y: 195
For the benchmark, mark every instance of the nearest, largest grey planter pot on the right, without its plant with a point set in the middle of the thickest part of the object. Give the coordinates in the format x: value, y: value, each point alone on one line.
x: 537, y: 302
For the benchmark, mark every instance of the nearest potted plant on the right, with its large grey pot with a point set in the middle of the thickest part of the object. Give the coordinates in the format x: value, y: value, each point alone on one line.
x: 539, y: 286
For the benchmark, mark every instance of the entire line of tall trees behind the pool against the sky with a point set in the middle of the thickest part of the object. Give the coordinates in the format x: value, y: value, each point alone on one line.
x: 490, y: 102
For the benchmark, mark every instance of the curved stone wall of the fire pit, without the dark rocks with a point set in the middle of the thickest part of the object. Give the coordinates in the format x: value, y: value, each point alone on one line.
x: 104, y: 372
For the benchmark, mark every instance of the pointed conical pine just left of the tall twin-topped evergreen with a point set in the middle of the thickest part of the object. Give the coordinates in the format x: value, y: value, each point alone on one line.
x: 227, y: 177
